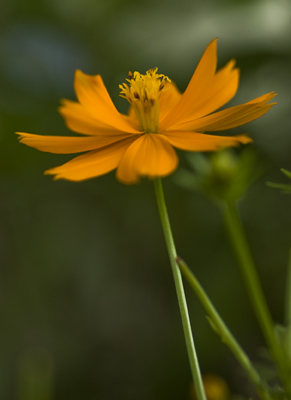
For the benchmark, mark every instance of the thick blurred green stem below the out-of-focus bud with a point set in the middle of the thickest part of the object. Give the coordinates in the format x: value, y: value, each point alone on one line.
x: 249, y: 273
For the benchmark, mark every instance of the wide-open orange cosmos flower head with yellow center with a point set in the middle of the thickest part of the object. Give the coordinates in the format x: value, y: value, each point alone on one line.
x: 160, y: 118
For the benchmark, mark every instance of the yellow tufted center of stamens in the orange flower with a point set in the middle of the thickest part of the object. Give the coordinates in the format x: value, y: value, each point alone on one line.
x: 143, y: 93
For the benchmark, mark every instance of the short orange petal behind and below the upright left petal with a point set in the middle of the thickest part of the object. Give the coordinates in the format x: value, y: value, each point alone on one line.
x: 79, y: 120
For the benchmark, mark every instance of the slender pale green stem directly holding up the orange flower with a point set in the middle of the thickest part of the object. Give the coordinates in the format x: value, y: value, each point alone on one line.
x: 180, y: 291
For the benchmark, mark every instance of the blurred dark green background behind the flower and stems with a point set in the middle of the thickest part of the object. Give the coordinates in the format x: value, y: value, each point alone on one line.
x: 87, y: 299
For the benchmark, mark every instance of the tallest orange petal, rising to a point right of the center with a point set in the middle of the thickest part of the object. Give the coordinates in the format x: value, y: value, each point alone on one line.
x: 198, y: 85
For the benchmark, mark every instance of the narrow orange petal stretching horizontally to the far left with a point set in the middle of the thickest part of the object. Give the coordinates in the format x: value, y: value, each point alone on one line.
x: 67, y: 144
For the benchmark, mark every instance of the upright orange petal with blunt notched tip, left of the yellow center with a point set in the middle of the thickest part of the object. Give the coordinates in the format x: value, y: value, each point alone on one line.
x: 93, y: 96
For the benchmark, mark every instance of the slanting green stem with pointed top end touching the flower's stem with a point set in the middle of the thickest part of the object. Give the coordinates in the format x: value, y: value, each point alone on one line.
x: 223, y: 331
